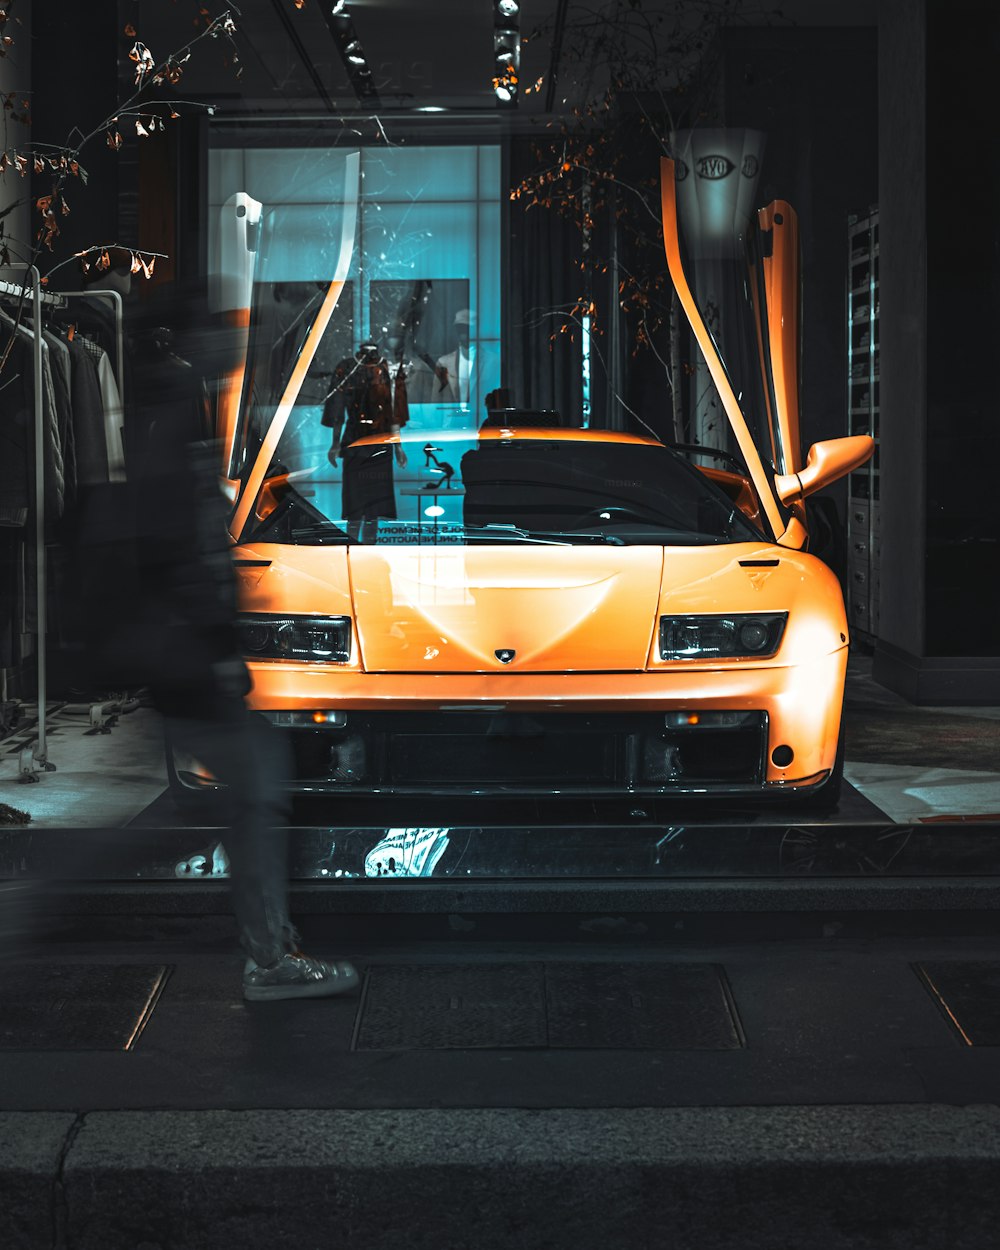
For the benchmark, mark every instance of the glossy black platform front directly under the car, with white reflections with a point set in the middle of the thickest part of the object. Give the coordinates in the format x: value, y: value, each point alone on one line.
x: 529, y: 853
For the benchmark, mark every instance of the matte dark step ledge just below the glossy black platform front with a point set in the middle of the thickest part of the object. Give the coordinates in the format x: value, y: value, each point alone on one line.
x: 448, y: 898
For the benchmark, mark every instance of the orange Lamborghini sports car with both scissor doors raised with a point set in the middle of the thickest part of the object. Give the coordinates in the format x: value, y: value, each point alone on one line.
x: 532, y: 608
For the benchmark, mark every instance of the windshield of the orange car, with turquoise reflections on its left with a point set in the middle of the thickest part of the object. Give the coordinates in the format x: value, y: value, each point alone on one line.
x: 463, y: 489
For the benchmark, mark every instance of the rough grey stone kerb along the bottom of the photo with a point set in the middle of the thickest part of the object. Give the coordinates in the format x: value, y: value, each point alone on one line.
x: 867, y: 1178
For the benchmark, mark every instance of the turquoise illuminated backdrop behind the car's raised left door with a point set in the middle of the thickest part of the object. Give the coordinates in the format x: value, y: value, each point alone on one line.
x: 429, y: 221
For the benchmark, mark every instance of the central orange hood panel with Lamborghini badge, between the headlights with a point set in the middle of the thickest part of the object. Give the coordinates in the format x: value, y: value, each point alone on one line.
x: 521, y: 609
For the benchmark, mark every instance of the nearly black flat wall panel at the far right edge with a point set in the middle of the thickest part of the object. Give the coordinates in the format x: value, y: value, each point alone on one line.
x: 963, y: 536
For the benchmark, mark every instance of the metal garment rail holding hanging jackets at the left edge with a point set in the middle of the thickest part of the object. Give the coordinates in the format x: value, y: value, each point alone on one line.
x: 29, y: 288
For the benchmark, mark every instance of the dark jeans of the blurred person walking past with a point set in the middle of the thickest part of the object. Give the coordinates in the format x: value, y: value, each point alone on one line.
x: 253, y: 761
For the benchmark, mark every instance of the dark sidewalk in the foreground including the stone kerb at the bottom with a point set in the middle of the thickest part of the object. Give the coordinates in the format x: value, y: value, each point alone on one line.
x: 846, y: 1112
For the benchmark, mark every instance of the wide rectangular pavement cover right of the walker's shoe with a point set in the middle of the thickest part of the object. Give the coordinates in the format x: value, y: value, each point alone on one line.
x: 554, y: 1006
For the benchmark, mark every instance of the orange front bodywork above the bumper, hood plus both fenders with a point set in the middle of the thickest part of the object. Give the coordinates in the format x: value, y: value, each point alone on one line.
x: 559, y: 609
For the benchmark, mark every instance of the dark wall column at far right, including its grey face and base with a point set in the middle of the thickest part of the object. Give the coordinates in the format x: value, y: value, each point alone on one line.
x: 939, y: 284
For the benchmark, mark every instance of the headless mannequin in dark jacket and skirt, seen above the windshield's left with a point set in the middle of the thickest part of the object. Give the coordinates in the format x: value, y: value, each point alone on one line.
x: 367, y: 399
